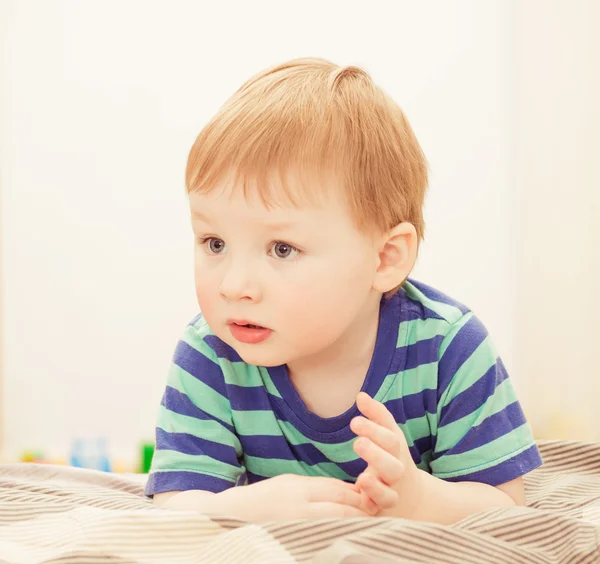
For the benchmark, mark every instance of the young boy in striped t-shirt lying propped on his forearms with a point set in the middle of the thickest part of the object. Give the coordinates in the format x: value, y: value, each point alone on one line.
x: 306, y: 193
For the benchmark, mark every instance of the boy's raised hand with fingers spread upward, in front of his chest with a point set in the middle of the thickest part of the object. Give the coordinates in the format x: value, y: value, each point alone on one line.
x: 392, y: 480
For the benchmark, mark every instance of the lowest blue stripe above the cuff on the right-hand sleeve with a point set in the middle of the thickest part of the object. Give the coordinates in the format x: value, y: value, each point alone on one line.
x: 494, y: 427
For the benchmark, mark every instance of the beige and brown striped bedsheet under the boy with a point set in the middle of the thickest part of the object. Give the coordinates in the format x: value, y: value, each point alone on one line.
x: 61, y: 515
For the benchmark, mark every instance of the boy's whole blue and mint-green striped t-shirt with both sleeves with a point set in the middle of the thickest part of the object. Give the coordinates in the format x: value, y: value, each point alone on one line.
x: 224, y: 422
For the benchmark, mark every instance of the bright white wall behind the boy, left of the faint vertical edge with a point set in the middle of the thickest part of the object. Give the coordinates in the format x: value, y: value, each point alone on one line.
x: 101, y: 103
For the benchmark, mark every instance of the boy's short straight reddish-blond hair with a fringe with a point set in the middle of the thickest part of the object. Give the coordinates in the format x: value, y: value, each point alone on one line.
x: 312, y: 117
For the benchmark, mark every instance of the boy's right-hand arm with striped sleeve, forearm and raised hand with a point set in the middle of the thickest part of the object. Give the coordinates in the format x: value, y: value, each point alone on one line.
x: 481, y: 444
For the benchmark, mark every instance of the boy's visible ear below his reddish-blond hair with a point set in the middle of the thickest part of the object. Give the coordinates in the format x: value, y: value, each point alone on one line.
x: 397, y: 257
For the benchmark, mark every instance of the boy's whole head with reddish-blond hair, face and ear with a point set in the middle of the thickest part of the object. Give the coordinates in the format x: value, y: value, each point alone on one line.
x: 306, y: 191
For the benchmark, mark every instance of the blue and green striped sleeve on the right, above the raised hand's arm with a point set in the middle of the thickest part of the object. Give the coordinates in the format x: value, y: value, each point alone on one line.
x: 482, y: 433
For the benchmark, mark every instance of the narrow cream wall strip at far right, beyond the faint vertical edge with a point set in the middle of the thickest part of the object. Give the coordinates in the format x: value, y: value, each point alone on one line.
x: 558, y: 186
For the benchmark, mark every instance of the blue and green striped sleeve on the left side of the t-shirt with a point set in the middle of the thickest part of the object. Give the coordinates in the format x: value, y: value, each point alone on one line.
x: 196, y: 444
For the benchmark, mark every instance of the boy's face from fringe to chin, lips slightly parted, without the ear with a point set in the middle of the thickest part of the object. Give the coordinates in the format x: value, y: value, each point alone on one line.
x: 303, y: 275
